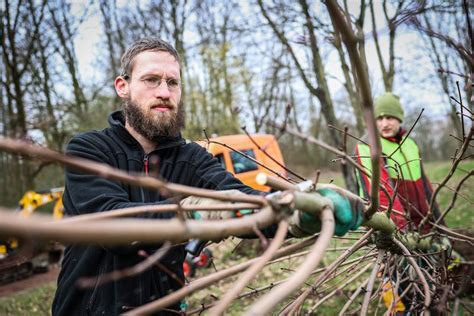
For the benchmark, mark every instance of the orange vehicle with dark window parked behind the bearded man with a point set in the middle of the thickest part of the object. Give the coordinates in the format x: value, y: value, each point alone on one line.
x: 242, y: 167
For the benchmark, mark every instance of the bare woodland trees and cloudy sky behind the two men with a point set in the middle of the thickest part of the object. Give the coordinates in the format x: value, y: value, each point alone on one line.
x: 243, y: 63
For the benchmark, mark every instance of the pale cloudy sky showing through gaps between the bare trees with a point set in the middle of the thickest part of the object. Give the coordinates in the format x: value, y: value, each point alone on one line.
x: 409, y: 53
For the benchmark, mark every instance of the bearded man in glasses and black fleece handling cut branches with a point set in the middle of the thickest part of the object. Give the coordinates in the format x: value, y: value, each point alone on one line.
x: 142, y: 138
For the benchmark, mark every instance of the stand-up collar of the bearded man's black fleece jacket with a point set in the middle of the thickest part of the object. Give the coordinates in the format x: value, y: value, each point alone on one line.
x: 117, y: 124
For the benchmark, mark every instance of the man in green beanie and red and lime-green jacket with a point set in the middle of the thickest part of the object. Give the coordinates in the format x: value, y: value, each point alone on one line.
x: 400, y: 163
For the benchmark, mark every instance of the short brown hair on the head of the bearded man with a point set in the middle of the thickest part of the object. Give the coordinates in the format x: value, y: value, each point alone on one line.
x: 153, y: 44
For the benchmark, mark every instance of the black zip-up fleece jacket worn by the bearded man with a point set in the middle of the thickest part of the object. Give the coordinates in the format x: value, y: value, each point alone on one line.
x: 175, y: 161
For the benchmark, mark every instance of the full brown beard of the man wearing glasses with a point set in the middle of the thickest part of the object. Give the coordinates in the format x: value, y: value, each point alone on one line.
x: 154, y: 126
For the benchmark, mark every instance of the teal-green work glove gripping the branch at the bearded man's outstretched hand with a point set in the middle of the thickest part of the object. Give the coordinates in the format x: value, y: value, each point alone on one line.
x: 348, y: 214
